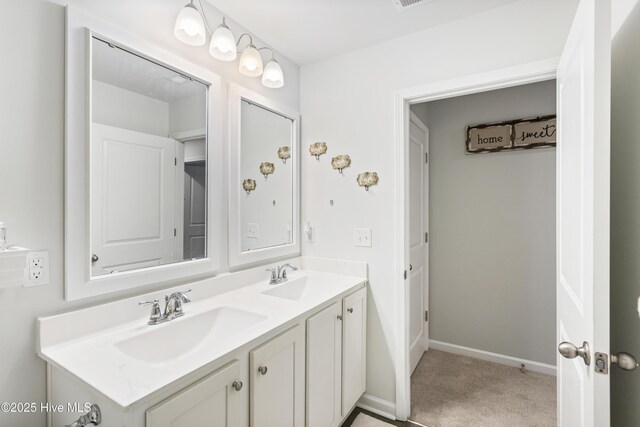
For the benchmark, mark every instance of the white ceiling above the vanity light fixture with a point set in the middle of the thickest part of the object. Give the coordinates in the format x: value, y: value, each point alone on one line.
x: 309, y: 30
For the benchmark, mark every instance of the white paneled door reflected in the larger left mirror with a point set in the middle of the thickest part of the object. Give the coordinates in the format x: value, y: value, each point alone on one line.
x: 132, y: 199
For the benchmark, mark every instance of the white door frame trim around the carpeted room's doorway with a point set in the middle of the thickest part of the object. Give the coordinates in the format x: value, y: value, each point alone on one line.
x: 498, y: 79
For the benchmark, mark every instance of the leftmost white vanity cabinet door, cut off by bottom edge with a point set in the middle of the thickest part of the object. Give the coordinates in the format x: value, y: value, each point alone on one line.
x: 211, y: 402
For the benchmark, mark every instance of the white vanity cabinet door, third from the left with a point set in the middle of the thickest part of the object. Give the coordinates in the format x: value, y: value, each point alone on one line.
x: 324, y: 360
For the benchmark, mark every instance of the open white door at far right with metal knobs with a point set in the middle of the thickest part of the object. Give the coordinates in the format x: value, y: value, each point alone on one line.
x: 582, y: 174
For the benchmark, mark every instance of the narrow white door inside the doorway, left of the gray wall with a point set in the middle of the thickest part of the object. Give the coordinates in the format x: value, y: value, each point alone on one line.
x: 418, y: 220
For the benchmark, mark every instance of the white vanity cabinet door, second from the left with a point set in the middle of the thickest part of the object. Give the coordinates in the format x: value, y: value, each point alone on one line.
x: 277, y: 381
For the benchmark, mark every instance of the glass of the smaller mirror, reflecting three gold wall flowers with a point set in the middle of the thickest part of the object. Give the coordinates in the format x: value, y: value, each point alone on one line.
x: 266, y: 208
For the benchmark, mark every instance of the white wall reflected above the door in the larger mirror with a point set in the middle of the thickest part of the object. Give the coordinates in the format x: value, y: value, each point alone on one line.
x: 121, y: 108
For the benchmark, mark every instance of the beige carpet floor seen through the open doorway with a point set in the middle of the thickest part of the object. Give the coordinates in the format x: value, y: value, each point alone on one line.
x: 448, y: 390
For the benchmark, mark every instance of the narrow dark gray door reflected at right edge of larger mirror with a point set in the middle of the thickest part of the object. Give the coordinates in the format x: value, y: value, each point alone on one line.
x: 195, y: 209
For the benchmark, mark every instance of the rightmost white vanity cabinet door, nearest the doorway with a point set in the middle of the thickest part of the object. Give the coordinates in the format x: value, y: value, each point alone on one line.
x: 353, y: 348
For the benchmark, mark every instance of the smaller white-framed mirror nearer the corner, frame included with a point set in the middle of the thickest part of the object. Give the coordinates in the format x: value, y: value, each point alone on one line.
x: 264, y: 179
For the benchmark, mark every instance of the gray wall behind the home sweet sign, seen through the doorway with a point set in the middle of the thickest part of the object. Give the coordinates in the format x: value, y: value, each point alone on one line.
x: 492, y: 228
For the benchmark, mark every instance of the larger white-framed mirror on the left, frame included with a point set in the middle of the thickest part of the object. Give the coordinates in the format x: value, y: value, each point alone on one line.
x: 142, y: 169
